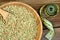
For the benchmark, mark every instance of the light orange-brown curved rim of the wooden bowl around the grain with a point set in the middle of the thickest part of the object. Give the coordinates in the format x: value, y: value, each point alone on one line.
x: 40, y: 28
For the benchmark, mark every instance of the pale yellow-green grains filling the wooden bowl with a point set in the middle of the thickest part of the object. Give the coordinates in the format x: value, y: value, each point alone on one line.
x: 20, y: 24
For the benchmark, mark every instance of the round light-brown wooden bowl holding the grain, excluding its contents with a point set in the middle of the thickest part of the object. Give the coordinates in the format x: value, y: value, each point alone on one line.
x: 38, y: 19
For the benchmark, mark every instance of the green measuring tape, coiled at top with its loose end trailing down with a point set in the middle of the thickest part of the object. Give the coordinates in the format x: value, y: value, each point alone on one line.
x: 50, y: 10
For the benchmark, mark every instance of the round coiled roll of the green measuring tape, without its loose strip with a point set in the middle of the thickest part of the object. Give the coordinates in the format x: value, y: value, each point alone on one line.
x: 51, y: 9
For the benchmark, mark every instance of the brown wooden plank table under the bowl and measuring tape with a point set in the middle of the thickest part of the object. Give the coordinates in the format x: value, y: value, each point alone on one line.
x: 36, y: 4
